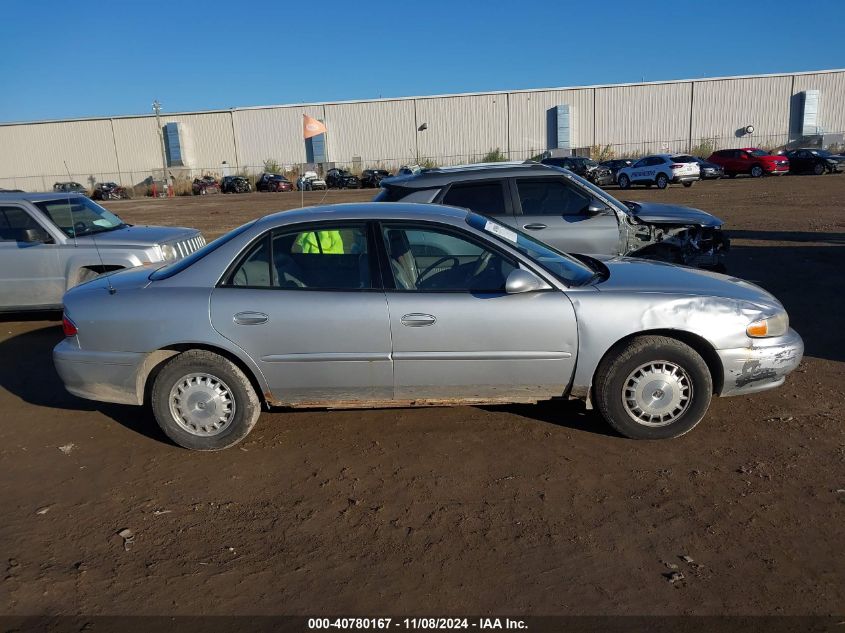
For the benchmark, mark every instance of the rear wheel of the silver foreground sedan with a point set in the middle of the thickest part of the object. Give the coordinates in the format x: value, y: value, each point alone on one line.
x: 193, y: 376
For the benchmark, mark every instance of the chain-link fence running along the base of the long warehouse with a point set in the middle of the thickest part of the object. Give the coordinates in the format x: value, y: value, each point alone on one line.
x: 179, y: 180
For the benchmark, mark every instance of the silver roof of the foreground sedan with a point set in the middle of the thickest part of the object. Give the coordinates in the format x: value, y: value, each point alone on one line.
x: 369, y: 211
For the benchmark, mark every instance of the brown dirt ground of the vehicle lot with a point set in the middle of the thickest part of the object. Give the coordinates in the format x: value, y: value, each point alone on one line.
x: 502, y: 510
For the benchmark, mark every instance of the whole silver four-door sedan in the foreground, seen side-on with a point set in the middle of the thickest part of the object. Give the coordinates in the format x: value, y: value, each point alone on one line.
x: 391, y: 304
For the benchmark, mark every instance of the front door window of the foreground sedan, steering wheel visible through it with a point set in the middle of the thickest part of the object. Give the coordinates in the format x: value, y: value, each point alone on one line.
x: 430, y: 259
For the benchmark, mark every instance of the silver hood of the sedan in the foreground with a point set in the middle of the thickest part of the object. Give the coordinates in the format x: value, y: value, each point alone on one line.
x: 628, y: 274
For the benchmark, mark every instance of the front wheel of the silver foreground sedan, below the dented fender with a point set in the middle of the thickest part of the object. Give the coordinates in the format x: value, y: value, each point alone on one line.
x: 640, y: 370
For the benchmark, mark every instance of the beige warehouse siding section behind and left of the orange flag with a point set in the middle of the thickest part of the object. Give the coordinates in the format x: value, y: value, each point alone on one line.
x: 274, y: 133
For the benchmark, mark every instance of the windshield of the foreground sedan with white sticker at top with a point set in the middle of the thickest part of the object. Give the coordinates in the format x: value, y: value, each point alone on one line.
x: 565, y: 267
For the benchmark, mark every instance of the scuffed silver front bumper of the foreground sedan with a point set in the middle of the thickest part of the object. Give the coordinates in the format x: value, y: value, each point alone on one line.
x: 762, y: 365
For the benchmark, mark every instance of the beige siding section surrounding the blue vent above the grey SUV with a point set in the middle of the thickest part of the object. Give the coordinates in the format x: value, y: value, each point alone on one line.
x: 529, y: 118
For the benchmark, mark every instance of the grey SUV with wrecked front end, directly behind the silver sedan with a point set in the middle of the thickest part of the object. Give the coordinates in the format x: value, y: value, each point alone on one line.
x: 568, y: 212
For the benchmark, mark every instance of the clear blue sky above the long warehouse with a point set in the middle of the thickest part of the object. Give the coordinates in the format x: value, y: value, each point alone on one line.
x: 63, y: 59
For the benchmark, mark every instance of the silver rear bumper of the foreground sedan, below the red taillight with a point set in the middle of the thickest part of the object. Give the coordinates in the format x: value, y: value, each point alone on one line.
x: 103, y: 376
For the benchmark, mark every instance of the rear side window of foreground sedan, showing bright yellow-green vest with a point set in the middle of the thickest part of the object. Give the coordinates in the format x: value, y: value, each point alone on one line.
x: 324, y: 257
